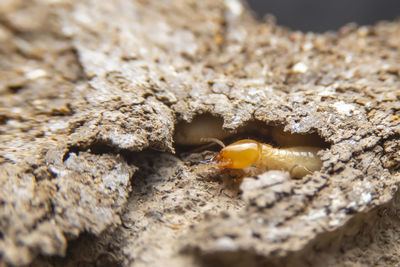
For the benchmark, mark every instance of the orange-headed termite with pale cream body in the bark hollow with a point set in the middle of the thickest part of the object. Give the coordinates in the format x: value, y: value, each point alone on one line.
x: 298, y: 160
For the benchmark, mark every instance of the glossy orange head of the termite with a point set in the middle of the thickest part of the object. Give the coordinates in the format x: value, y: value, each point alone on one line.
x: 239, y: 155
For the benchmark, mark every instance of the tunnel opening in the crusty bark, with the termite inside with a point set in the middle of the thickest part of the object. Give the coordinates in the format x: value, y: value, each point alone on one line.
x: 251, y: 149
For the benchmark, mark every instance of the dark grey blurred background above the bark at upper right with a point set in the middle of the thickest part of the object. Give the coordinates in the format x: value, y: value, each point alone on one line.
x: 322, y: 15
